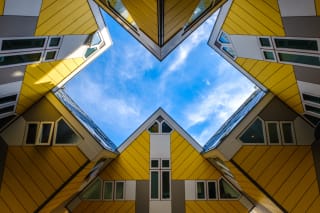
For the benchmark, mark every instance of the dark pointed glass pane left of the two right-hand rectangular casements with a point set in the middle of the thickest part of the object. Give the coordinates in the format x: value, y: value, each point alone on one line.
x: 254, y: 134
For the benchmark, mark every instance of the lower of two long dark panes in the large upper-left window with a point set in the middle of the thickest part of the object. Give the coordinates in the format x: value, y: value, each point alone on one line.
x: 19, y: 59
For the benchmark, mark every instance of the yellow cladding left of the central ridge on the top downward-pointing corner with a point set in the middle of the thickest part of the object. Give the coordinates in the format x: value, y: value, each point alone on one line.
x: 145, y: 14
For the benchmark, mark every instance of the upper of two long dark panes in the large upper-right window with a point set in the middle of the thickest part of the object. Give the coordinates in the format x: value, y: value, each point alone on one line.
x: 296, y: 44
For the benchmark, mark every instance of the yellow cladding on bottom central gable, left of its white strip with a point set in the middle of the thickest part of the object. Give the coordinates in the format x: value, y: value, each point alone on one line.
x: 132, y: 163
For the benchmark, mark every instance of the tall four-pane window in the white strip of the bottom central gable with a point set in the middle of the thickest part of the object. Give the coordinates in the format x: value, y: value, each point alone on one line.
x: 160, y: 180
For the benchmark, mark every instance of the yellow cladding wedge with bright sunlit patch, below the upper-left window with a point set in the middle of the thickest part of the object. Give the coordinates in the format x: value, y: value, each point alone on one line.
x: 41, y: 78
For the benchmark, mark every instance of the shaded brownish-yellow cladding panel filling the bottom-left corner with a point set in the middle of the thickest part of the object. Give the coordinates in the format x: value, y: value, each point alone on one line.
x: 33, y: 174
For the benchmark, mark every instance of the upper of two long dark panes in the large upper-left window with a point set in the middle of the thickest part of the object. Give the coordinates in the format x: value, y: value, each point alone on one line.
x: 23, y: 44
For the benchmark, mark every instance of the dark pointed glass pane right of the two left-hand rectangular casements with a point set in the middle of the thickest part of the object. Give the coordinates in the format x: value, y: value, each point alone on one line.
x: 65, y: 135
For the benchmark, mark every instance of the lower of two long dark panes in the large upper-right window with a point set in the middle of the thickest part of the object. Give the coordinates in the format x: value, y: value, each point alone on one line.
x: 300, y: 59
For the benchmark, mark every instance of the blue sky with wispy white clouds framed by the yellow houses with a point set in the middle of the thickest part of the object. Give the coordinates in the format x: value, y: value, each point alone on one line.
x: 126, y: 84
